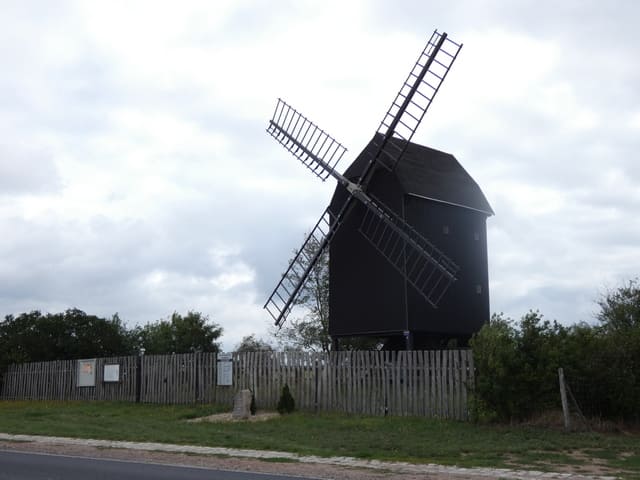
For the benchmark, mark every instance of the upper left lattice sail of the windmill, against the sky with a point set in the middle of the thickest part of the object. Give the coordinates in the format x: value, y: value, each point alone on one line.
x: 316, y: 149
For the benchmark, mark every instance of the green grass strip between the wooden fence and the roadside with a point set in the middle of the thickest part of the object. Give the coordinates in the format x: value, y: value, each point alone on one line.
x: 410, y: 439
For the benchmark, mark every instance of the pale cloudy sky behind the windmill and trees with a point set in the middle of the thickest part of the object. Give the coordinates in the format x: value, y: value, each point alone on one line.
x: 136, y: 175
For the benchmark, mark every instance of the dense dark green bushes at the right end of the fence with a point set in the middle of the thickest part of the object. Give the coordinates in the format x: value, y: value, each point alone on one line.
x: 517, y: 363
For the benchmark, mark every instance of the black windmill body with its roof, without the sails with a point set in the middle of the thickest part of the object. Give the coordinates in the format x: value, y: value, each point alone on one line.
x: 433, y: 193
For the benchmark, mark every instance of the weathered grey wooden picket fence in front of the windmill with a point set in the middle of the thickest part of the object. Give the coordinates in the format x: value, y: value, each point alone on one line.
x: 423, y: 383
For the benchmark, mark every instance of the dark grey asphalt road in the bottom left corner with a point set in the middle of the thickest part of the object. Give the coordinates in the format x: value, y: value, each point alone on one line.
x: 38, y: 466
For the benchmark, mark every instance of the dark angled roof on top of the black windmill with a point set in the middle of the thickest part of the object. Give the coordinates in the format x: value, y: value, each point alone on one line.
x: 430, y: 174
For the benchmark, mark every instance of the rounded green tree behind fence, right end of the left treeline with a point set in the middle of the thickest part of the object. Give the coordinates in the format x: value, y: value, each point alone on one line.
x: 177, y: 334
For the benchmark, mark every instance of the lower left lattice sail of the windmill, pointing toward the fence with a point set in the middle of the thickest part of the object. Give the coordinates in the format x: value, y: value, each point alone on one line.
x: 284, y: 296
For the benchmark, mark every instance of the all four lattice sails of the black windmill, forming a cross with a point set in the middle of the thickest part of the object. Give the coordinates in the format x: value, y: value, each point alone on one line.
x: 415, y: 260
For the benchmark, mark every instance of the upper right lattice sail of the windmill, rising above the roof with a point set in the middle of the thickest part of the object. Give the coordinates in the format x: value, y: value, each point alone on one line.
x: 414, y: 98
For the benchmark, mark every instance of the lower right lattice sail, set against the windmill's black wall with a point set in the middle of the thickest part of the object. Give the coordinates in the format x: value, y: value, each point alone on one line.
x: 425, y: 267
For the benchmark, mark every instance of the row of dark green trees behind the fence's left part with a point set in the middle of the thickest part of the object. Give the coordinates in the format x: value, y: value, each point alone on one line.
x: 37, y: 336
